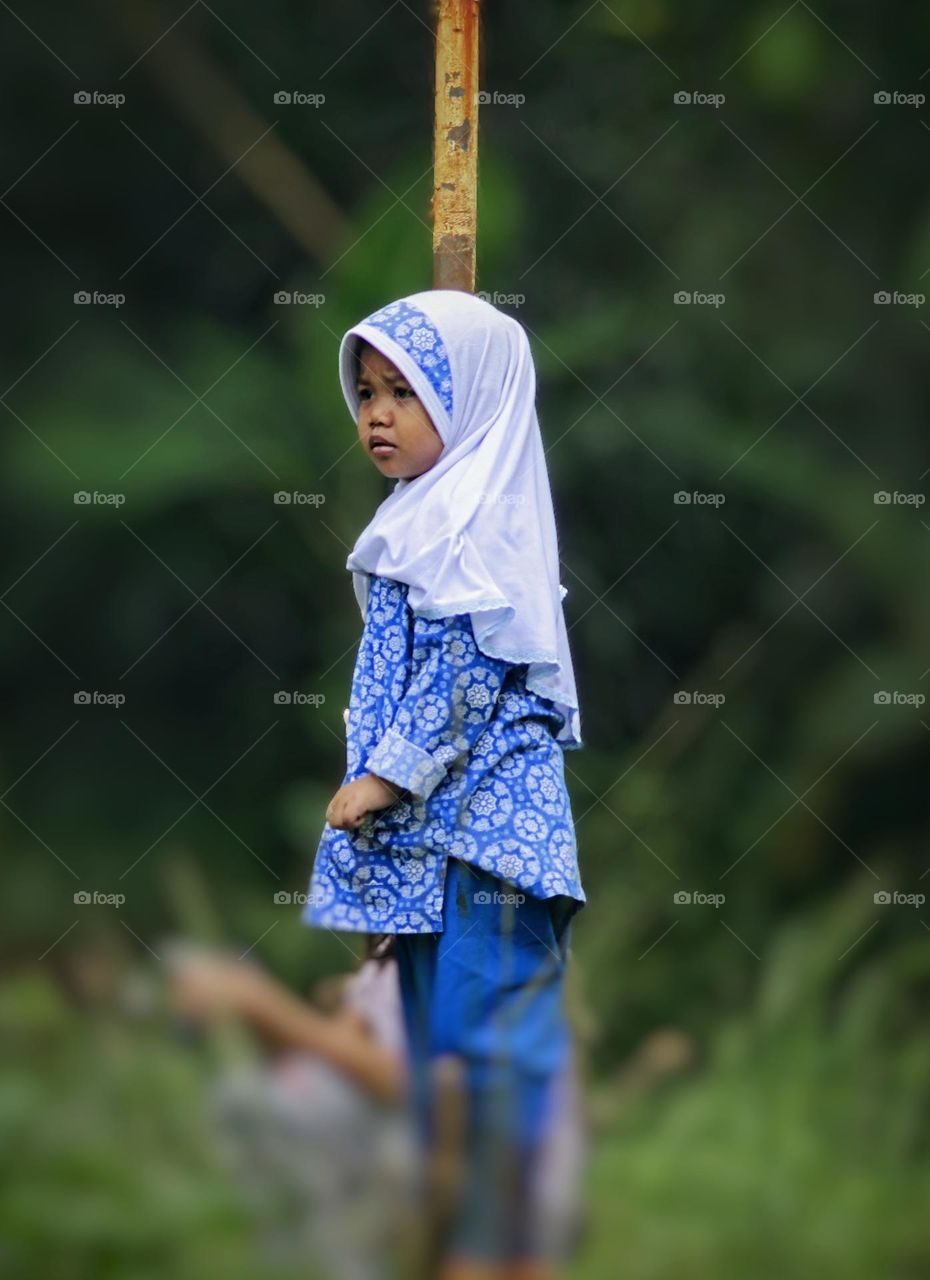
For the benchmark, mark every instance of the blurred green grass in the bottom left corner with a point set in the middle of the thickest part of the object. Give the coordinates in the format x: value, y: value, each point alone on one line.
x: 107, y: 1162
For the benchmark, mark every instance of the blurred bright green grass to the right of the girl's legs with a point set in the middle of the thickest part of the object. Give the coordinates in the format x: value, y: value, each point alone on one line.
x: 801, y: 1145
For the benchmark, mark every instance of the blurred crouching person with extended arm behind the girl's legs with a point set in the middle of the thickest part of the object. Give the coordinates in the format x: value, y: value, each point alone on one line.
x: 323, y: 1136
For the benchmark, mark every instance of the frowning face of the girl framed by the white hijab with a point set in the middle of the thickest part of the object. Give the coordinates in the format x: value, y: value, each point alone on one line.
x: 391, y: 412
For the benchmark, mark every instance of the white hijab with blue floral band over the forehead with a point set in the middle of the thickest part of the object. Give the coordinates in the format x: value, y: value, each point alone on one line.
x: 477, y: 533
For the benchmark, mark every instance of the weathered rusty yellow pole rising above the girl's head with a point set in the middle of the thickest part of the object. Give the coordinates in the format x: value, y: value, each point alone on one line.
x: 456, y: 145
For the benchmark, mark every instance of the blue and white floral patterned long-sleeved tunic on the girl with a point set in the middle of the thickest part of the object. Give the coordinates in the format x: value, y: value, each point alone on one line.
x: 477, y: 755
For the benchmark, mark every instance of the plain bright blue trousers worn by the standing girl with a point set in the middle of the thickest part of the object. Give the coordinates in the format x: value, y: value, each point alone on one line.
x: 489, y: 989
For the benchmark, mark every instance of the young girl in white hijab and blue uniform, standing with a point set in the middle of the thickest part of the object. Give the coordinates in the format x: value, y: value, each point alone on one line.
x: 453, y: 829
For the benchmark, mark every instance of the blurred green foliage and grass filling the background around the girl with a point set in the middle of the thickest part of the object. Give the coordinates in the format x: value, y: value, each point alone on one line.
x: 796, y: 1141
